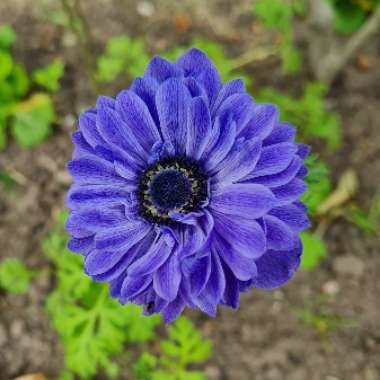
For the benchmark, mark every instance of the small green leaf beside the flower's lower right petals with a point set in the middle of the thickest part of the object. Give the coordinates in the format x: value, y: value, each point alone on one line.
x: 314, y: 249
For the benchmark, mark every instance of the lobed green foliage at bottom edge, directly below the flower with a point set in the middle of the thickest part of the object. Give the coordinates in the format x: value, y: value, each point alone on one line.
x: 184, y: 348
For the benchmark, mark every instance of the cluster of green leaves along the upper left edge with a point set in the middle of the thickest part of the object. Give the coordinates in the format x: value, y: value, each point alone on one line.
x: 29, y: 118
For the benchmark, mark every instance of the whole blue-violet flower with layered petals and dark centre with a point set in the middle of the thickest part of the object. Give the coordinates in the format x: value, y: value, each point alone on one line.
x: 186, y: 191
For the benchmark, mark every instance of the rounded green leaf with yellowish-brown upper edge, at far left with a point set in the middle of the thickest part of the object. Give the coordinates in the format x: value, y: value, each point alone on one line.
x: 32, y: 120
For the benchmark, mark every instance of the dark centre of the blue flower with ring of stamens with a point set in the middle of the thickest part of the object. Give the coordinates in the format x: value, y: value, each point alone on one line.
x: 172, y: 184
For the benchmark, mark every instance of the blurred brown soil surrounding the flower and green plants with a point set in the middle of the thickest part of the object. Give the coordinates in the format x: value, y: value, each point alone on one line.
x: 264, y: 339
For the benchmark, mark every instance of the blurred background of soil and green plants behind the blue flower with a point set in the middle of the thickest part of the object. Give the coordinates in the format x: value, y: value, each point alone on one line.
x: 319, y: 61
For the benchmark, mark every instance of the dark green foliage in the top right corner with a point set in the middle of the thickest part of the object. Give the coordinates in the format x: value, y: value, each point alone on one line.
x: 351, y: 14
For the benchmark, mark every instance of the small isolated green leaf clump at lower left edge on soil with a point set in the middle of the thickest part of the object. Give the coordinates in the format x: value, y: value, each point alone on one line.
x: 15, y: 276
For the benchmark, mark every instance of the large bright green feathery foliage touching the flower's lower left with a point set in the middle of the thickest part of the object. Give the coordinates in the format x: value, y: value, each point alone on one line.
x: 91, y: 325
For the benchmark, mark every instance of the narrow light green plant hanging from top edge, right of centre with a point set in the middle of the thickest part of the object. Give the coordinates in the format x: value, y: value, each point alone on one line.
x: 279, y: 15
